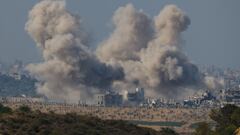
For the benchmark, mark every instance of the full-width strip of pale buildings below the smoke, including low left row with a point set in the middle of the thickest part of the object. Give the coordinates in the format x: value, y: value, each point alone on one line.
x: 137, y: 98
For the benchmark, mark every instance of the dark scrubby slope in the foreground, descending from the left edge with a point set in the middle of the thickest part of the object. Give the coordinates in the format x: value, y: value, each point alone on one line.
x: 23, y: 121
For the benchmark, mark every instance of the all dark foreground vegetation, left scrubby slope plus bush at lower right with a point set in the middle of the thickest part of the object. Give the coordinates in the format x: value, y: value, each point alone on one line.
x: 24, y: 121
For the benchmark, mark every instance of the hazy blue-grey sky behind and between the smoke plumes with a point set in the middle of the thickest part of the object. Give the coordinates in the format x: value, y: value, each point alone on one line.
x: 212, y: 38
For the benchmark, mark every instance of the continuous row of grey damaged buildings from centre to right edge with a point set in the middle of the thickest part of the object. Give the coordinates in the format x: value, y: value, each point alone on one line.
x: 136, y: 98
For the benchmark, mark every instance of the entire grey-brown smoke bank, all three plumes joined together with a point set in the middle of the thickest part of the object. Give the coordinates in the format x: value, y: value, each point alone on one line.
x: 141, y: 52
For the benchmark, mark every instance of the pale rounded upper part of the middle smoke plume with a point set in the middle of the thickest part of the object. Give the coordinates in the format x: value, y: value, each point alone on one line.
x: 132, y: 33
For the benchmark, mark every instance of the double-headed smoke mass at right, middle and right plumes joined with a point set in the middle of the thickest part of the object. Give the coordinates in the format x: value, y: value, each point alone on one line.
x: 159, y: 63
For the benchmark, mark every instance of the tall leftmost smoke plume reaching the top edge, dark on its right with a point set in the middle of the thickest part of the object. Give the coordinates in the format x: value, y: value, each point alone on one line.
x: 69, y: 67
